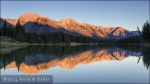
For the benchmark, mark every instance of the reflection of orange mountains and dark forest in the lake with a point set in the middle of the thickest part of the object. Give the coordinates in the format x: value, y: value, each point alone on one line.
x: 35, y: 59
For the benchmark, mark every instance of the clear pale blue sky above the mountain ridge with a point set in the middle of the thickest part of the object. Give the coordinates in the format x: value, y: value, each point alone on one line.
x: 128, y: 14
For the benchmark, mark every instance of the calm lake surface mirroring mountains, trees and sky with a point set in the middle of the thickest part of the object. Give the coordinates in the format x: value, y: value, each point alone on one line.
x: 80, y: 64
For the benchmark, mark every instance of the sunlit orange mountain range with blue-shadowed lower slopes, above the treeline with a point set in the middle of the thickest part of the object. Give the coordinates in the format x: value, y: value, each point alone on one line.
x: 40, y: 24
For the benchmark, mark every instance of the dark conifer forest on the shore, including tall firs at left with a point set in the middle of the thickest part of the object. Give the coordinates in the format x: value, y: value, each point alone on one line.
x: 18, y: 32
